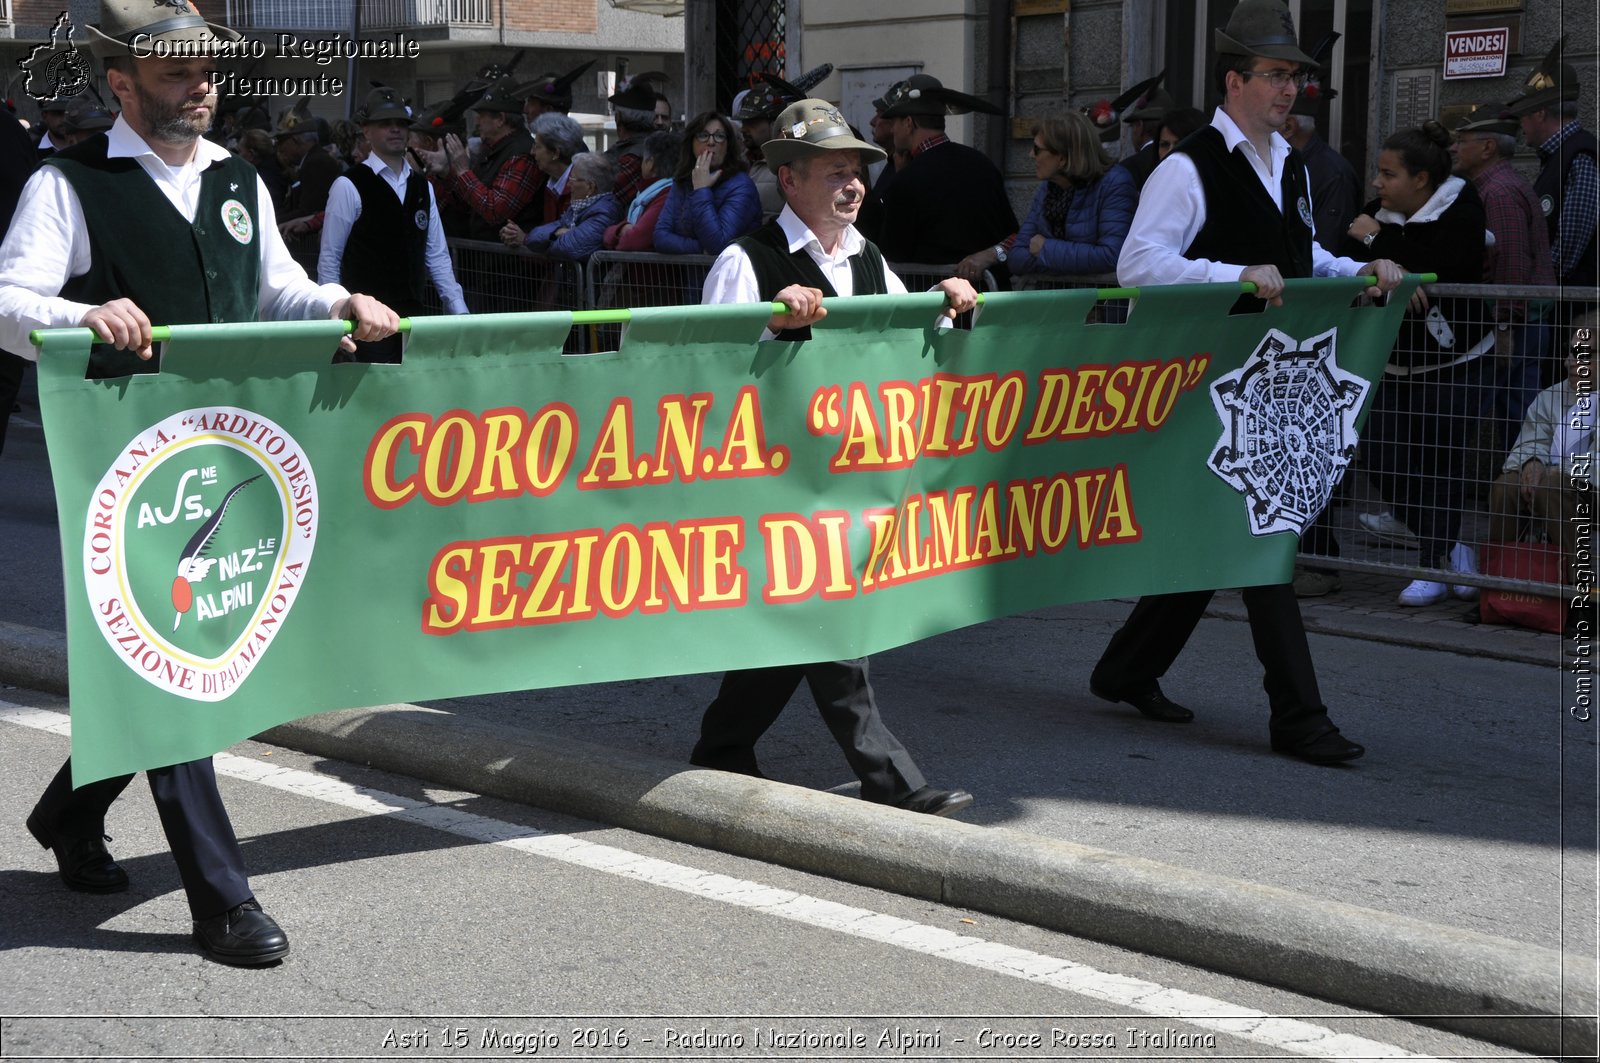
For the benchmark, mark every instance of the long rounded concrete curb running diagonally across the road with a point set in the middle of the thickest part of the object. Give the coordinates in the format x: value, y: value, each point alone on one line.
x: 1486, y: 987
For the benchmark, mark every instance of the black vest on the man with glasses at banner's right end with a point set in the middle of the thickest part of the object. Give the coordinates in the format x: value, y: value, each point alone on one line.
x: 1242, y: 225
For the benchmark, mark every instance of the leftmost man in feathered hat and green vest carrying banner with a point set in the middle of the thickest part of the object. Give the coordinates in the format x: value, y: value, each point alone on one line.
x: 156, y: 223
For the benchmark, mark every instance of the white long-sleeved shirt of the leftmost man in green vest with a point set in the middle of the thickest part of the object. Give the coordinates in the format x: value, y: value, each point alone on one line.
x: 47, y: 246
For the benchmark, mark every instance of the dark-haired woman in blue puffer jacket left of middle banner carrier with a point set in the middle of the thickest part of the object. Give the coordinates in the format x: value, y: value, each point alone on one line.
x: 714, y: 201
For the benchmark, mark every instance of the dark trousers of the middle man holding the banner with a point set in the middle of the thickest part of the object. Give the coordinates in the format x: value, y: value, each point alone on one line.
x: 751, y: 700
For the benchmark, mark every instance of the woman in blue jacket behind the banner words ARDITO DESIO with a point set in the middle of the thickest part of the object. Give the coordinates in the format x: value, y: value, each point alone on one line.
x: 1084, y: 206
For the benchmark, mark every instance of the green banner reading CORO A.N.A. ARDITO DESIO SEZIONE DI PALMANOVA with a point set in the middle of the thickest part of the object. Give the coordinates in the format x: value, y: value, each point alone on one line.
x: 257, y: 534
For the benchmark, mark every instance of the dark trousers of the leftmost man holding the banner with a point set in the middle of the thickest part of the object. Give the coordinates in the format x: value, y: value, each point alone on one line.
x: 198, y: 828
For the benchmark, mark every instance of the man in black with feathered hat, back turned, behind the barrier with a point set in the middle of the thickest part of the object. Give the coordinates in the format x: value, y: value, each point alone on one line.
x: 950, y: 203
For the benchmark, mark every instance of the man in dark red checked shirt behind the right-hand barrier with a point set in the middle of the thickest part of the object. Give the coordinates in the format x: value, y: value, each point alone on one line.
x: 1519, y: 257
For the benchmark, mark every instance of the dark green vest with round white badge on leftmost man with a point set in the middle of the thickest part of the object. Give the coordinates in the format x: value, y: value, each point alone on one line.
x: 142, y: 249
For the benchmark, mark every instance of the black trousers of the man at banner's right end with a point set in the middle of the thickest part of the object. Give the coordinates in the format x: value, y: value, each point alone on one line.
x: 1159, y: 627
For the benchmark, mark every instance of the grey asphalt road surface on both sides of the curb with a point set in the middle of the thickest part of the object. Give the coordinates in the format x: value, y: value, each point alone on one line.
x: 1474, y: 811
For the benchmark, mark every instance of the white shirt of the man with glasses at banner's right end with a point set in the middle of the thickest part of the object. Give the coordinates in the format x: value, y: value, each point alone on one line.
x: 1172, y: 214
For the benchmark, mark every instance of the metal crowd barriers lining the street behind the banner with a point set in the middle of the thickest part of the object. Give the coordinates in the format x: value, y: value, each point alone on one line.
x: 1433, y: 447
